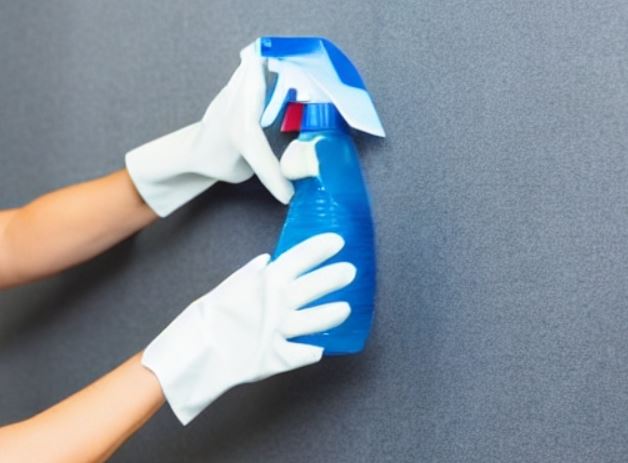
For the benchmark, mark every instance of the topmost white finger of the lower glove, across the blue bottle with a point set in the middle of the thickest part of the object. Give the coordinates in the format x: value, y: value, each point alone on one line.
x: 308, y: 254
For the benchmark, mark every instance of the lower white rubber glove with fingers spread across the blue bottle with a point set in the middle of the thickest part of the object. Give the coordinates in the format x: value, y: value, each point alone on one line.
x: 238, y: 332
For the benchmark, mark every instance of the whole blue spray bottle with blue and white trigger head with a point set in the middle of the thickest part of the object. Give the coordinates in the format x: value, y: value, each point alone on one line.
x: 321, y: 95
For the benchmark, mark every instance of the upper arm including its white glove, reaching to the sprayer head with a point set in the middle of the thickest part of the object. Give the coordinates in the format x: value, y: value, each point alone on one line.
x: 73, y: 224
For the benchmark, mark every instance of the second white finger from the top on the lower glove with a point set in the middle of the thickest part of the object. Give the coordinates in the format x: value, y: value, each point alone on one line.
x: 319, y: 283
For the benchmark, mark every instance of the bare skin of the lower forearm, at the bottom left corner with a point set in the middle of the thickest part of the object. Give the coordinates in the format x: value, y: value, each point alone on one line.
x: 90, y: 425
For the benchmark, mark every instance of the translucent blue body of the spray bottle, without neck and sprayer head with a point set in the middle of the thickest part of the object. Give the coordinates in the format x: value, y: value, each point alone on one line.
x: 337, y: 201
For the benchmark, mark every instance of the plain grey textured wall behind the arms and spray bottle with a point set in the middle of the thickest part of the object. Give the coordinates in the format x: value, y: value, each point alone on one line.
x: 501, y: 205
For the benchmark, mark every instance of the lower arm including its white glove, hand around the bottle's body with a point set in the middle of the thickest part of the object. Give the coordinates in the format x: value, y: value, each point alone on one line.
x: 237, y: 333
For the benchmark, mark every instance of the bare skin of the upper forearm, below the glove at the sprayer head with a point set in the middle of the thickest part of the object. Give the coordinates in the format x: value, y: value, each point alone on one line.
x: 69, y: 226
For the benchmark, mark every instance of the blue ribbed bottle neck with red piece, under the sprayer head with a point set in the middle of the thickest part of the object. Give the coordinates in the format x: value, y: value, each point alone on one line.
x: 314, y: 117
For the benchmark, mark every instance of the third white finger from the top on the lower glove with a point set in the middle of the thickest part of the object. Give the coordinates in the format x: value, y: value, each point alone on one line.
x: 315, y: 319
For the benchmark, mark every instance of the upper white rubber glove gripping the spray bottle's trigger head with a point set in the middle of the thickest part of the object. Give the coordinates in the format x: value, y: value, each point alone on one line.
x: 228, y: 145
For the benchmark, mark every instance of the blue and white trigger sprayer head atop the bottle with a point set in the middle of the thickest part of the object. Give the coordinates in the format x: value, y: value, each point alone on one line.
x: 314, y: 70
